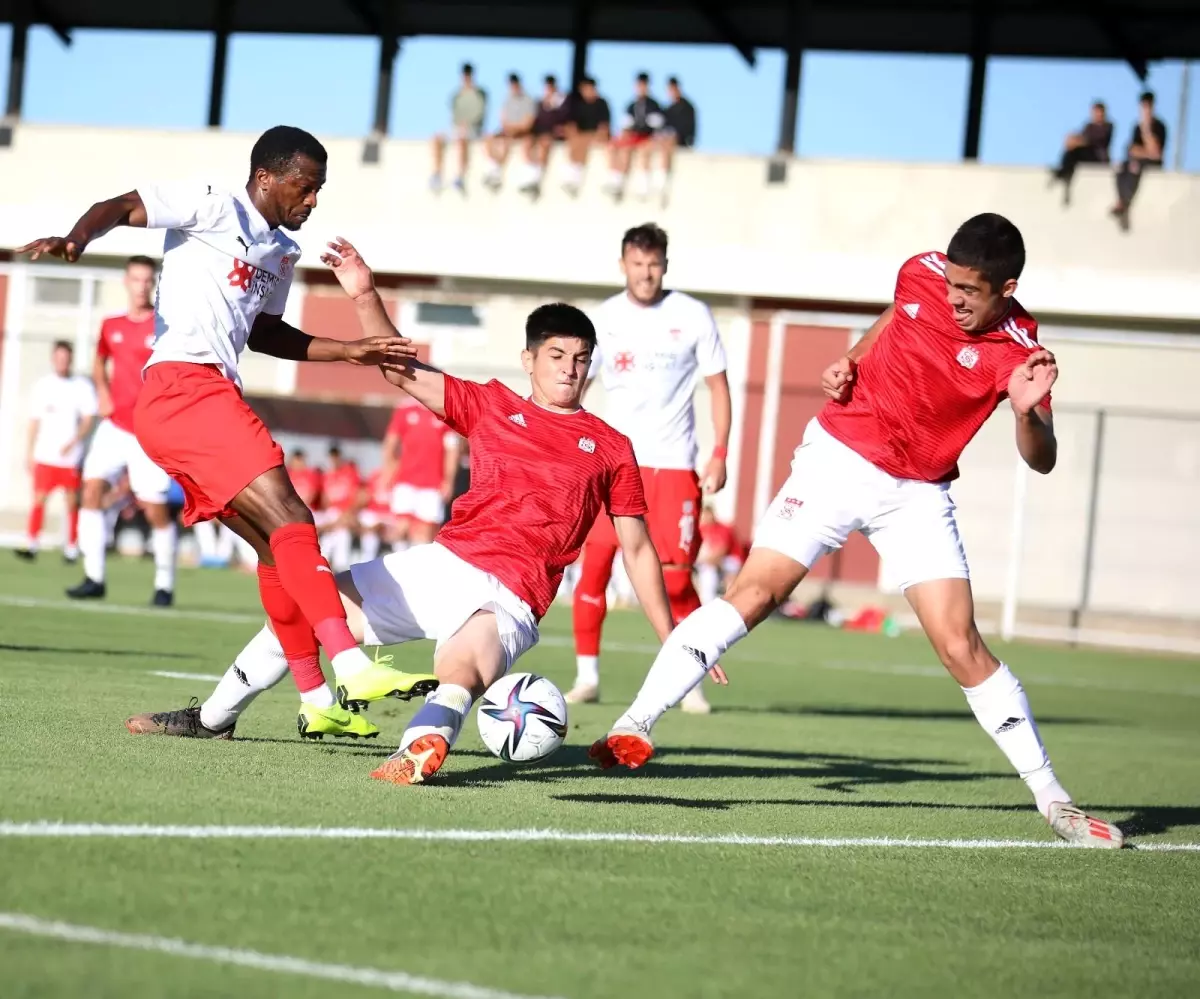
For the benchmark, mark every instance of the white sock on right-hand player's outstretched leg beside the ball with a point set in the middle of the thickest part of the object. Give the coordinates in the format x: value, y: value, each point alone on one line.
x: 691, y: 650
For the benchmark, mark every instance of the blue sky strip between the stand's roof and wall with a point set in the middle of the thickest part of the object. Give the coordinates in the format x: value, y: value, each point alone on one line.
x: 854, y: 106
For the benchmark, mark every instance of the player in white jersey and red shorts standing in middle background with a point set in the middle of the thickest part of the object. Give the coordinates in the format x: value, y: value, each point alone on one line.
x: 652, y: 346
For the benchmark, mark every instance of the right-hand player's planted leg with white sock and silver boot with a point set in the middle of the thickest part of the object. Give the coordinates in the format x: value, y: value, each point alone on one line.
x: 946, y: 611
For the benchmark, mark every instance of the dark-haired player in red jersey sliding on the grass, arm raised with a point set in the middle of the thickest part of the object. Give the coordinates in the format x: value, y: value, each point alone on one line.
x: 542, y: 470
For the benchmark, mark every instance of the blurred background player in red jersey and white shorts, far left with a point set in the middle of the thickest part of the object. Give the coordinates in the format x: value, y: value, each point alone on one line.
x: 123, y: 350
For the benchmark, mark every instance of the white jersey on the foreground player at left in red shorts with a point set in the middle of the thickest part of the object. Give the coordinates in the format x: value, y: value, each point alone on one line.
x: 221, y: 266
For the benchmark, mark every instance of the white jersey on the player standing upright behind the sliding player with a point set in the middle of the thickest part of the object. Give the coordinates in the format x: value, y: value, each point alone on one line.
x: 649, y: 360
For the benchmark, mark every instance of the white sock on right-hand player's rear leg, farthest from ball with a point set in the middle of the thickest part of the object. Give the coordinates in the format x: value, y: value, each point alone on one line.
x: 1000, y: 705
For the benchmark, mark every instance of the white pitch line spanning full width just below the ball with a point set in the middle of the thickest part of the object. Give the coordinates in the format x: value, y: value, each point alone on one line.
x: 104, y: 831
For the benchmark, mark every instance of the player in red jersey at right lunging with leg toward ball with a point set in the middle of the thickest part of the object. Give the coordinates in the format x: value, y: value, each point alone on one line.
x: 879, y: 459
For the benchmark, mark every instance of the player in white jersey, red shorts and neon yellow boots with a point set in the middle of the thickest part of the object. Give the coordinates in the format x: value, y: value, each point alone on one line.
x: 226, y: 273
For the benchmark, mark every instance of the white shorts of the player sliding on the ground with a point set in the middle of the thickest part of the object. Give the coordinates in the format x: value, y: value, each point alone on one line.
x: 429, y: 593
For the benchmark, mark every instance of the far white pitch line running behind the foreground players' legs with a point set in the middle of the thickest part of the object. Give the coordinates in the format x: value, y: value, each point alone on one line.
x: 643, y: 649
